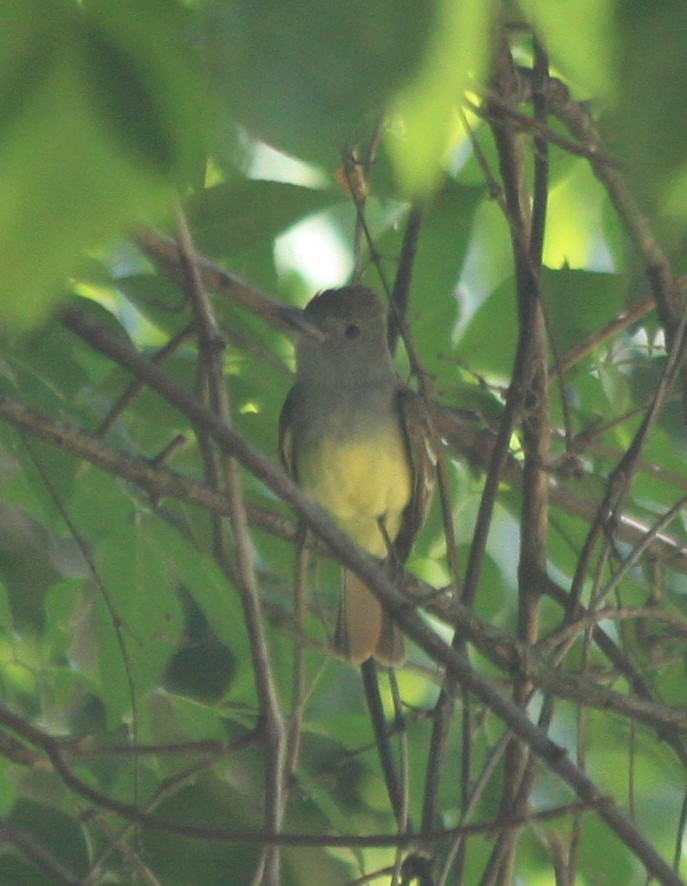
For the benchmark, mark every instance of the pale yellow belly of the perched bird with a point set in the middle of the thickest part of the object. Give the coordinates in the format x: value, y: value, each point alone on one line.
x: 359, y: 482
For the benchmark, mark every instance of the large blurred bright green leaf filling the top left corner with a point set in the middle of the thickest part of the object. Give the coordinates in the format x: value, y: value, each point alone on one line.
x: 79, y: 88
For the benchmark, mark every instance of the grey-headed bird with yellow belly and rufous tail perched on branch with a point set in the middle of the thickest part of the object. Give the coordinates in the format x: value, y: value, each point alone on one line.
x: 354, y: 437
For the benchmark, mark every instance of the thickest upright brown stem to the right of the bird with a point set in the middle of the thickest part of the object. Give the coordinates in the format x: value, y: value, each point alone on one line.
x: 527, y: 235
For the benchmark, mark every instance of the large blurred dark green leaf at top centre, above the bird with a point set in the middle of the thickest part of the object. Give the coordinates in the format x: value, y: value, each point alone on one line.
x: 346, y: 58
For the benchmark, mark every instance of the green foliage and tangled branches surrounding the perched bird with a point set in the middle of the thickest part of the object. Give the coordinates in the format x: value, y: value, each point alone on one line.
x: 157, y: 725
